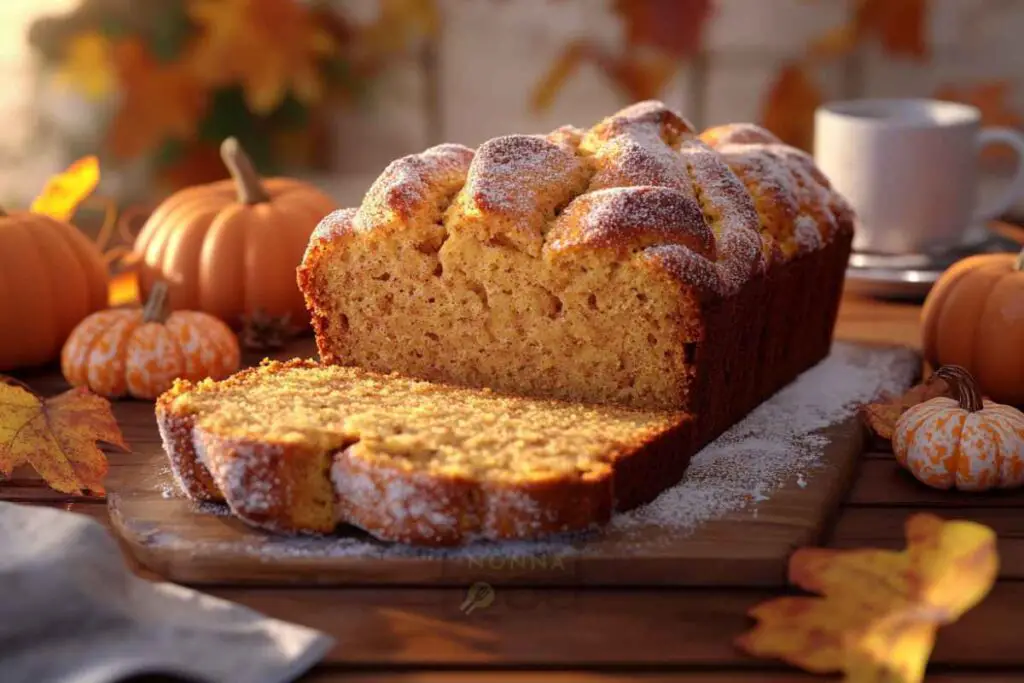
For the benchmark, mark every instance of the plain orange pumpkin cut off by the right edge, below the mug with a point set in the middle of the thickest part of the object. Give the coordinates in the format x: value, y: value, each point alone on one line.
x: 974, y: 318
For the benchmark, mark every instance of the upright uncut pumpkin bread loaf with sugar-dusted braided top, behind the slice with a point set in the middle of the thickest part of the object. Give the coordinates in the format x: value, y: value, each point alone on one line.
x: 634, y: 264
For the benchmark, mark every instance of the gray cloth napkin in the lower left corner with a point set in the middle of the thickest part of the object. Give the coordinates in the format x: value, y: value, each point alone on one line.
x: 71, y: 612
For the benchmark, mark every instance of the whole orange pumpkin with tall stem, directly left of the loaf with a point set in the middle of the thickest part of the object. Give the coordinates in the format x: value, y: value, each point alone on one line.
x: 231, y: 248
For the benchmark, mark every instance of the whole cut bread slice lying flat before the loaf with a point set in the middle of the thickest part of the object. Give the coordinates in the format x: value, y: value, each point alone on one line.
x: 296, y: 447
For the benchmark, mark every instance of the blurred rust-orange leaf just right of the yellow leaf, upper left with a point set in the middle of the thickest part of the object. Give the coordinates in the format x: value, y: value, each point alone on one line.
x: 160, y: 102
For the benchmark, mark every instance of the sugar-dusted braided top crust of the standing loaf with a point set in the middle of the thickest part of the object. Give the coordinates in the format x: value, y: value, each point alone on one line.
x: 713, y: 209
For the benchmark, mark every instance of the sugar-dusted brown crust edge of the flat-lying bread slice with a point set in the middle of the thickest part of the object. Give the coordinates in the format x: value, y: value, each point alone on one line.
x: 258, y: 479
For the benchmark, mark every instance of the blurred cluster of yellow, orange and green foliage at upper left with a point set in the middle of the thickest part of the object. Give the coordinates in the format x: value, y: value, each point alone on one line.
x: 182, y: 75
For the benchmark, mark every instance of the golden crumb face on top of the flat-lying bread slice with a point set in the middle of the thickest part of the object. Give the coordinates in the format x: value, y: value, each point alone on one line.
x: 414, y: 424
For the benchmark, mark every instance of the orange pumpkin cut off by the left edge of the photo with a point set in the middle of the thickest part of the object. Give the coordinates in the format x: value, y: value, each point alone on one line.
x: 52, y: 277
